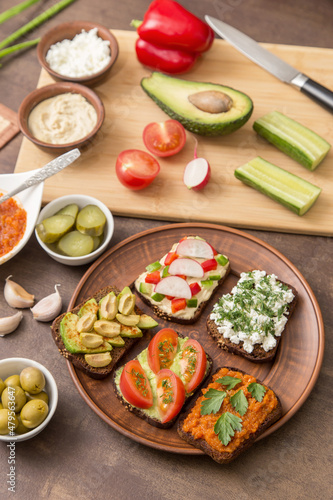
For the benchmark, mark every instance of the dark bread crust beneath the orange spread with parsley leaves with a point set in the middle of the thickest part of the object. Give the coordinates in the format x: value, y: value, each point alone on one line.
x: 226, y: 457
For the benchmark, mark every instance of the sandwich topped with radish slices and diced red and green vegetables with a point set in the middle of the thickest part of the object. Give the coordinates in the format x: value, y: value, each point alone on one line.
x: 178, y: 286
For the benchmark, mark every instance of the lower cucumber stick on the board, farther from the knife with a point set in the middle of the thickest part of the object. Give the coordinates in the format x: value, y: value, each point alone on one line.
x: 288, y: 189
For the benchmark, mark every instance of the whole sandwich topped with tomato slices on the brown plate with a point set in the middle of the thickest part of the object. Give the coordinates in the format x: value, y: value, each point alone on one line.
x: 155, y: 385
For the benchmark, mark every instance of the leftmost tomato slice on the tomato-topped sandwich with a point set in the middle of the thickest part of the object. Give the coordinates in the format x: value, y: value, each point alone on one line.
x: 135, y: 385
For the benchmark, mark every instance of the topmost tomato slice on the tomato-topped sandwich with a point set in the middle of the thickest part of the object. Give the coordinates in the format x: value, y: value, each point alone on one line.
x: 162, y: 349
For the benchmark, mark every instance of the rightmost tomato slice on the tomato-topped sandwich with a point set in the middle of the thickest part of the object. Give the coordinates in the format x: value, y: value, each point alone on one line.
x: 193, y: 364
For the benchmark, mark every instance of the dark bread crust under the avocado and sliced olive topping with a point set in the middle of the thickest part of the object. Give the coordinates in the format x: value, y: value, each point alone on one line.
x: 78, y: 359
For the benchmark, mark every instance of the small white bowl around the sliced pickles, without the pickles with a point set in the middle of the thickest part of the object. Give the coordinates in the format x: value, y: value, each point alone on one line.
x: 81, y: 200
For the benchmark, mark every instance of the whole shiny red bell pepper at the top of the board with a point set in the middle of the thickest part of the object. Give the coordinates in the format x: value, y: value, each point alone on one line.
x: 171, y: 37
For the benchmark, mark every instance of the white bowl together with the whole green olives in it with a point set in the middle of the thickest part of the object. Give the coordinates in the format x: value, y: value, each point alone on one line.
x: 28, y: 398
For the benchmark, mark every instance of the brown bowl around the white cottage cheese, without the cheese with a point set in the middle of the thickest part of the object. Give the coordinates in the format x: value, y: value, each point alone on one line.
x: 68, y: 31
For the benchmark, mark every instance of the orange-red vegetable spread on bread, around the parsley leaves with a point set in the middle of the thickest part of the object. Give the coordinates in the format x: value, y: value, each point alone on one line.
x: 201, y: 426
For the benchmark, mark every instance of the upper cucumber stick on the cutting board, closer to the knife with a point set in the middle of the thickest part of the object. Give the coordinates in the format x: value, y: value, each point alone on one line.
x: 295, y: 140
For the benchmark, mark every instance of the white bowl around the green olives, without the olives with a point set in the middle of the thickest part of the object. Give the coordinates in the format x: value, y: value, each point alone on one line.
x: 13, y: 366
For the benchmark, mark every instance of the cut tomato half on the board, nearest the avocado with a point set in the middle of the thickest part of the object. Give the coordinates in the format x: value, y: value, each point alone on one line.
x: 164, y: 139
